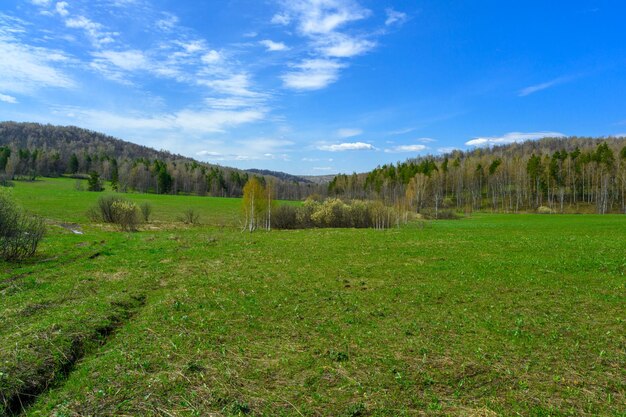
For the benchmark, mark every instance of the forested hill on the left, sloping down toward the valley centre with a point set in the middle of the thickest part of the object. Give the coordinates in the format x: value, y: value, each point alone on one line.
x: 29, y: 150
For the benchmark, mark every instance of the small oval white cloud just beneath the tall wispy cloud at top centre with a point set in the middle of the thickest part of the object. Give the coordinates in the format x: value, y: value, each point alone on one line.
x: 312, y: 74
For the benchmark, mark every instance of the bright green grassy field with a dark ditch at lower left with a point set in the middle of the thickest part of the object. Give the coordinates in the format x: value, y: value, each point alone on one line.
x: 489, y: 315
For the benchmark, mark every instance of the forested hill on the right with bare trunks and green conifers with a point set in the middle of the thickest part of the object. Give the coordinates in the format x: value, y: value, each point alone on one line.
x: 561, y: 174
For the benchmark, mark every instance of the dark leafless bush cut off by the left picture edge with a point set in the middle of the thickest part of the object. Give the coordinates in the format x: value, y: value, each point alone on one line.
x: 20, y: 233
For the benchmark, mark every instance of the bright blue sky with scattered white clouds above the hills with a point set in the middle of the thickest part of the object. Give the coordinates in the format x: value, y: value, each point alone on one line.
x: 316, y: 86
